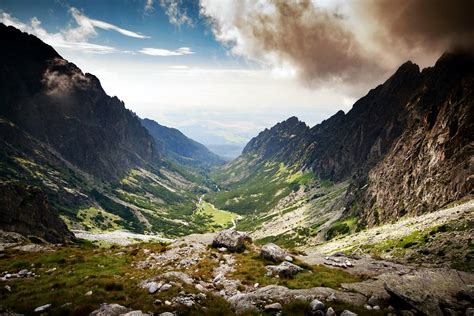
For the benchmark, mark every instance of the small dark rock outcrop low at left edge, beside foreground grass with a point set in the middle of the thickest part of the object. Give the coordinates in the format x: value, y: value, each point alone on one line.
x: 26, y: 210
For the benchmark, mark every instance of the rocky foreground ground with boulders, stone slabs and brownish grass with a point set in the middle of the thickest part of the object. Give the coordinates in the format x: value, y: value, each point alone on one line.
x: 222, y: 274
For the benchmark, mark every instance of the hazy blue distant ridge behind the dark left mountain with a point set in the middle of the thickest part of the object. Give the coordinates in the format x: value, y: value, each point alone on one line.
x: 177, y: 146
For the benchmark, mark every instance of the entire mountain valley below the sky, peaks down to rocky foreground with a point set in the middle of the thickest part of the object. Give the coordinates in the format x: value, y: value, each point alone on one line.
x: 369, y: 212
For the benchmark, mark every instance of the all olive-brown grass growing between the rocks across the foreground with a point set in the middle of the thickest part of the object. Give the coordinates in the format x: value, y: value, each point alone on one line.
x: 111, y: 275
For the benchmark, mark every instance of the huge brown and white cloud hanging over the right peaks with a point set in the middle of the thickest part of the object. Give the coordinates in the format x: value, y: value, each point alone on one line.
x: 333, y: 42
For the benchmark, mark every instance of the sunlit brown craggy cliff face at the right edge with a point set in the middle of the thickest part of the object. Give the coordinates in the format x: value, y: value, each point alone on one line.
x: 431, y: 163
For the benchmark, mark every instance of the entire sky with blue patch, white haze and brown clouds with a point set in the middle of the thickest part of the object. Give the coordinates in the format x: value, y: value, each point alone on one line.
x: 221, y: 70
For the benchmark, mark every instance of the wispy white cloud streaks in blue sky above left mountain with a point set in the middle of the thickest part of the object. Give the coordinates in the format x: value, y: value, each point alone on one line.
x: 75, y: 37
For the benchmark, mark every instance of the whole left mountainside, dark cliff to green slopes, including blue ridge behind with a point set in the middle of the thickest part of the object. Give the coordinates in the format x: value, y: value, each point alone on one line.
x: 79, y: 154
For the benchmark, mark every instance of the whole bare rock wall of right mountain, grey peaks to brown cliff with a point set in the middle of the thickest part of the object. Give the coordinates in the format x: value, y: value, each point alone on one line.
x: 407, y: 144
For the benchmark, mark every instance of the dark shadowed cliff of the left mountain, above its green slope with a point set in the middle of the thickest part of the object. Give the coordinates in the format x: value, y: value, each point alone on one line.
x: 56, y: 103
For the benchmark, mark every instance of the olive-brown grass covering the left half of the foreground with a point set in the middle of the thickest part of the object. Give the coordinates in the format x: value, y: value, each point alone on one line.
x: 108, y: 273
